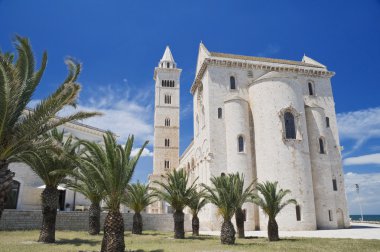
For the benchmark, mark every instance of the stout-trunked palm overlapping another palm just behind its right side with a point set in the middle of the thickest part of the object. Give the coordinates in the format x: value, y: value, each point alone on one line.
x: 223, y: 196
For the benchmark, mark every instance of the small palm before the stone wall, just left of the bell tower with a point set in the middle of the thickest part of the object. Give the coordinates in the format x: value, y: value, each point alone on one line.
x: 138, y: 197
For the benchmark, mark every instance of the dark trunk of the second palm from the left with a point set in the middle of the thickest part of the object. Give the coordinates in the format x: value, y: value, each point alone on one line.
x: 49, y: 199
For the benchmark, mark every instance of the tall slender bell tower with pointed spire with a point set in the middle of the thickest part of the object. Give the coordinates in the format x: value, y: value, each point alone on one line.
x: 166, y: 121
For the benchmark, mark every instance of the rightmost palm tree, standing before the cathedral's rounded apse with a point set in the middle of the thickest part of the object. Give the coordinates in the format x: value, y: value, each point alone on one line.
x: 272, y: 203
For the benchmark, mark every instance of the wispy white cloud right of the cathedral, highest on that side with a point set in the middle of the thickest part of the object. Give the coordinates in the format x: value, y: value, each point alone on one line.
x: 359, y: 126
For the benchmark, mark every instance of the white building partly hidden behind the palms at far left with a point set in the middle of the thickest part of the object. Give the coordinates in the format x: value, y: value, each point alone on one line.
x: 27, y: 186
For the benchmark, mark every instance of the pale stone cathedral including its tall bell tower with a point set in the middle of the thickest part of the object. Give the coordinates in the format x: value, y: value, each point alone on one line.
x: 269, y: 119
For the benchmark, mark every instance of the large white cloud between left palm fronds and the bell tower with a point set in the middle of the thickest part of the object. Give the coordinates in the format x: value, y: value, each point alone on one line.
x: 125, y: 112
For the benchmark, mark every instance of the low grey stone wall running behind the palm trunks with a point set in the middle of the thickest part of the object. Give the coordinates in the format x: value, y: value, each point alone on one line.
x: 78, y: 221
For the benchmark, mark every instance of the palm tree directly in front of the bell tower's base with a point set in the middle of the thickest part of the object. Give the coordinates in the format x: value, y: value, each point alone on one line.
x: 177, y: 192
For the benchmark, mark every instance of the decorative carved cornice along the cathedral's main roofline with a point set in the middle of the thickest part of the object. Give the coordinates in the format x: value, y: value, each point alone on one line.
x: 280, y: 66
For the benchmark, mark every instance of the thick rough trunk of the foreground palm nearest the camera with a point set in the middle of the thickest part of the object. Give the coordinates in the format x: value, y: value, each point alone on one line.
x: 113, y: 239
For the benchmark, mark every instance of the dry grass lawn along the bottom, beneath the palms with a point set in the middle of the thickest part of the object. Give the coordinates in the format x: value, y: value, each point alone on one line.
x: 25, y: 241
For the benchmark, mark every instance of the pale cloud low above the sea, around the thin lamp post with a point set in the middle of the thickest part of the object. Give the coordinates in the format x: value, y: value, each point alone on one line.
x: 369, y: 184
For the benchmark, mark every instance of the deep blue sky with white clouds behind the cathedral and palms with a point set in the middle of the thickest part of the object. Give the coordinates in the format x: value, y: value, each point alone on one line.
x: 120, y: 43
